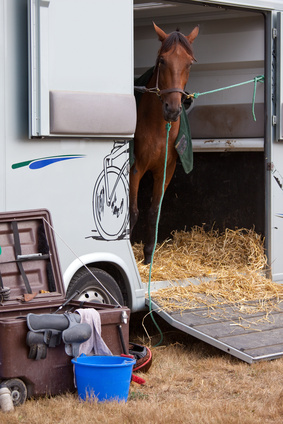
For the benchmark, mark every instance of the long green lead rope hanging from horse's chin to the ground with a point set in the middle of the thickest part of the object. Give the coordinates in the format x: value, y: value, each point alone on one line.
x: 168, y: 127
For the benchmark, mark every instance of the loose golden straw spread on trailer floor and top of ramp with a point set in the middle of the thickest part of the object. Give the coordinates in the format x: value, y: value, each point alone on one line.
x: 229, y: 266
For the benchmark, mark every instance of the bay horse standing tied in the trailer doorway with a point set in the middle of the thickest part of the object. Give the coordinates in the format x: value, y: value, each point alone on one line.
x: 168, y: 81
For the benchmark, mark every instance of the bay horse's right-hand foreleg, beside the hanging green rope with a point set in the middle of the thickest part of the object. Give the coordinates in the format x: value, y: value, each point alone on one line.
x: 153, y: 210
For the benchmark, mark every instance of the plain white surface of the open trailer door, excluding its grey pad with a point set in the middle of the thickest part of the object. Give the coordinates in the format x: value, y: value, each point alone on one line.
x: 78, y: 45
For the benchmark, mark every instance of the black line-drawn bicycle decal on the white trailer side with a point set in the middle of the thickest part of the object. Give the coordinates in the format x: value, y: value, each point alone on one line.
x: 111, y: 195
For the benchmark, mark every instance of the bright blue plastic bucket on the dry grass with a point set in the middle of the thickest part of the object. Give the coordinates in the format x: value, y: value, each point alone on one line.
x: 105, y: 377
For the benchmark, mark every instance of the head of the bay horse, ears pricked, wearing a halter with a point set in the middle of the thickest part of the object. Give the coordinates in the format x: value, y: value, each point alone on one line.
x: 173, y: 65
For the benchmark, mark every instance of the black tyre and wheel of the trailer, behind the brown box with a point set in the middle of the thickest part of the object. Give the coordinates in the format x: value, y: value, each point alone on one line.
x: 90, y: 289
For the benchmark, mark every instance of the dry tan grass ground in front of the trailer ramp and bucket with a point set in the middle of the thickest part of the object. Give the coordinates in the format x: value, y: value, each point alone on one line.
x: 188, y: 382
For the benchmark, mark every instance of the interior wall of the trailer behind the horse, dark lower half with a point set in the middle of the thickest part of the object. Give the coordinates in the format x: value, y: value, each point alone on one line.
x: 226, y: 186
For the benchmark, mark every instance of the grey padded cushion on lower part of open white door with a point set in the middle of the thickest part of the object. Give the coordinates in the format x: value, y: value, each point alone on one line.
x: 85, y: 113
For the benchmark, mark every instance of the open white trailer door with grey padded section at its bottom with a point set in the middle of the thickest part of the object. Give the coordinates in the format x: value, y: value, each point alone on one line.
x: 80, y: 68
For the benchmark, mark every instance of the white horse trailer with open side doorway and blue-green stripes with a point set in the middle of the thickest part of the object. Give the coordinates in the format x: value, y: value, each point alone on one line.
x: 68, y: 115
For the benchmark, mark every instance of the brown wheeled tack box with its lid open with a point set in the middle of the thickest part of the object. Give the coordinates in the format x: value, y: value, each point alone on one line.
x: 31, y: 282
